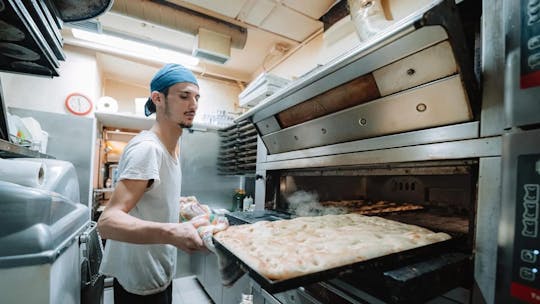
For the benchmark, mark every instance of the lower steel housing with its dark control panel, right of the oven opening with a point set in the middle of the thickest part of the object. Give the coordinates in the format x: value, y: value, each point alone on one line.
x: 519, y: 244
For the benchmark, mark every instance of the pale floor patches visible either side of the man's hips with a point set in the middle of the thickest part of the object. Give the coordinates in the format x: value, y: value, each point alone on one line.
x: 186, y: 290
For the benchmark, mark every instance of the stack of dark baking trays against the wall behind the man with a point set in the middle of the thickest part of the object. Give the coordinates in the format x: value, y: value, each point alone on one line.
x: 238, y: 150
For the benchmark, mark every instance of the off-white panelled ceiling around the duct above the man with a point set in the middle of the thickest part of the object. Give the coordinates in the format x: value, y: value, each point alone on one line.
x: 268, y: 22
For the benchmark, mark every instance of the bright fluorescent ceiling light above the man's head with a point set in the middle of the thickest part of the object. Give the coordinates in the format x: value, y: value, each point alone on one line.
x: 131, y: 48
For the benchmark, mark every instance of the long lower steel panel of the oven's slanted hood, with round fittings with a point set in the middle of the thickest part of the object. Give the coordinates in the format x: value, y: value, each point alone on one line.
x: 443, y: 102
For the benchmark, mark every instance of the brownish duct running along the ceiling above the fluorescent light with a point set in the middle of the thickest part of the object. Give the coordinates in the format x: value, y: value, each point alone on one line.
x: 179, y: 18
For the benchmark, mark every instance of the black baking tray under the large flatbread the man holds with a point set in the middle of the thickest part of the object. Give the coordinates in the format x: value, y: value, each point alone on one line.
x: 382, y: 263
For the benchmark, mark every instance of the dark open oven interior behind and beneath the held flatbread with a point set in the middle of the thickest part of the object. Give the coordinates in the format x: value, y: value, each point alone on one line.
x: 440, y: 196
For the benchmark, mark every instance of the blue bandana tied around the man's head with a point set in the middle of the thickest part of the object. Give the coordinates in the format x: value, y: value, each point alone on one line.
x: 169, y: 75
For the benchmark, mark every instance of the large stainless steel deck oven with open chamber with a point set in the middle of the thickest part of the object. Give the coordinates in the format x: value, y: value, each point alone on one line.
x: 406, y: 126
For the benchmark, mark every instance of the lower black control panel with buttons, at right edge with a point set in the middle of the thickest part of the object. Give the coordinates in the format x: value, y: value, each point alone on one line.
x: 526, y: 256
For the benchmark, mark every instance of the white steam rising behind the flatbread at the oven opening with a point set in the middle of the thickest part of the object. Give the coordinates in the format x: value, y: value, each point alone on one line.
x: 304, y: 203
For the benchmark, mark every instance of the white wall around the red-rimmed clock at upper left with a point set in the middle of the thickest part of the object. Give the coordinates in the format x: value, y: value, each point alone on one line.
x: 79, y: 73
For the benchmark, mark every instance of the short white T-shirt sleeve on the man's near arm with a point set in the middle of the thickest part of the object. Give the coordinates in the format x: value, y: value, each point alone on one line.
x: 141, y: 161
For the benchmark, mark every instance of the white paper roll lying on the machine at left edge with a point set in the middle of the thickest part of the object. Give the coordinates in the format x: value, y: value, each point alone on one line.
x: 24, y: 173
